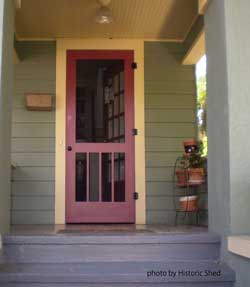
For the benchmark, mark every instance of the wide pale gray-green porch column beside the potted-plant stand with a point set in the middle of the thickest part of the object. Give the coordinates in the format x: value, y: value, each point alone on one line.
x: 227, y: 24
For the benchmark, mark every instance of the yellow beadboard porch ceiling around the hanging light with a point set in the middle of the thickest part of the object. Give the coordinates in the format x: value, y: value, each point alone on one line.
x: 157, y: 19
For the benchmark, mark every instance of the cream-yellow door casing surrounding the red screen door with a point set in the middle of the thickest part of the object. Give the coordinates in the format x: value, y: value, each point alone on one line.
x: 62, y: 45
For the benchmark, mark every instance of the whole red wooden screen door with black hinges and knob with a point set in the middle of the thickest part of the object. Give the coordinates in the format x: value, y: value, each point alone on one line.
x: 100, y: 144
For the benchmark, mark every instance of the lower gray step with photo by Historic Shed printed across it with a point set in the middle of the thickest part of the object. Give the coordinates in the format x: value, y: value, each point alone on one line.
x: 117, y: 273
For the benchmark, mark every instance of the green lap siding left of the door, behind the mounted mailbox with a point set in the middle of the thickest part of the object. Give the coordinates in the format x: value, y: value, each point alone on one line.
x: 33, y: 137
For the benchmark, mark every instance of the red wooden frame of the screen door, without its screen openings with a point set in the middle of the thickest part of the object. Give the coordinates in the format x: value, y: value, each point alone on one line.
x: 78, y: 212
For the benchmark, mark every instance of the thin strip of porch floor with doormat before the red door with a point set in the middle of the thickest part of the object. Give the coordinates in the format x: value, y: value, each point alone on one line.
x: 101, y: 228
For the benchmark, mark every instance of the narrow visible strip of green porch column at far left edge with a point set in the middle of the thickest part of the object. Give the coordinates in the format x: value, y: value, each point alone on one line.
x: 6, y: 88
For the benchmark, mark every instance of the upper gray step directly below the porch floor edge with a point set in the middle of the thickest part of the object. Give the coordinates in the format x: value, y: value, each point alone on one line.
x: 94, y: 248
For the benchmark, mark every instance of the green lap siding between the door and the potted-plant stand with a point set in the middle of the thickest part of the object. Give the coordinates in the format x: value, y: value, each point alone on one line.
x: 169, y: 119
